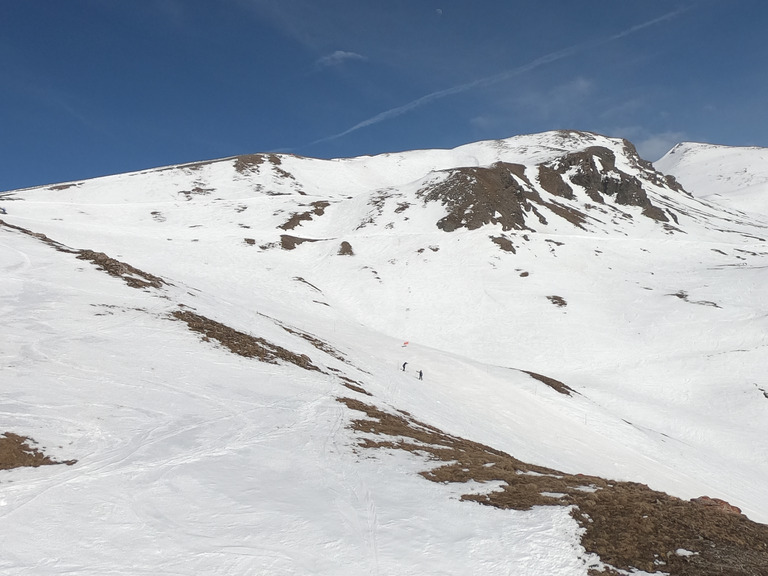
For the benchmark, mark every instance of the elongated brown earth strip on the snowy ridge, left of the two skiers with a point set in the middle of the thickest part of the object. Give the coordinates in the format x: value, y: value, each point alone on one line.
x: 241, y: 343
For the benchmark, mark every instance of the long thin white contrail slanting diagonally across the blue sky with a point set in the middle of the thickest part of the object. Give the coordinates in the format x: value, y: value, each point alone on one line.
x: 496, y: 78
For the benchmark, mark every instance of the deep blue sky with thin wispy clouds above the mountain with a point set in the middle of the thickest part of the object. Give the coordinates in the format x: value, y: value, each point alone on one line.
x: 95, y: 87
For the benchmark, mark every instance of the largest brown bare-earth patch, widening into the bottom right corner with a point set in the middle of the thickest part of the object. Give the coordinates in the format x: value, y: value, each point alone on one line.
x: 628, y: 525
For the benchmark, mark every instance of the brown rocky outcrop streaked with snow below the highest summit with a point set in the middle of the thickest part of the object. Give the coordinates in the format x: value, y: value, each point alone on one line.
x: 569, y: 187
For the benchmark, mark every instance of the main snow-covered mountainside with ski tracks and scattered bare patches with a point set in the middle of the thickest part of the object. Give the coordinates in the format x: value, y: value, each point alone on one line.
x: 510, y: 268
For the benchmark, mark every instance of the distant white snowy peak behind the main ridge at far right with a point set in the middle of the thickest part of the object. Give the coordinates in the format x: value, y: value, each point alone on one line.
x: 733, y: 176
